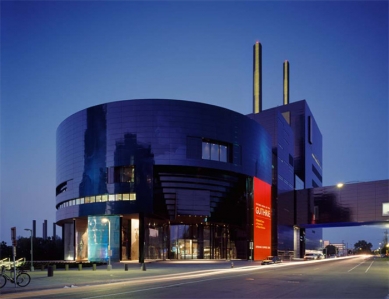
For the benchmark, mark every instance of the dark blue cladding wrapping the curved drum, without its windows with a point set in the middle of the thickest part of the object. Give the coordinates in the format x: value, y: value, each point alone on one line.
x: 148, y: 133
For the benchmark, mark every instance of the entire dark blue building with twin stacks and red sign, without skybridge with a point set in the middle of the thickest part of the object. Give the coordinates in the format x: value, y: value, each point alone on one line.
x: 171, y: 179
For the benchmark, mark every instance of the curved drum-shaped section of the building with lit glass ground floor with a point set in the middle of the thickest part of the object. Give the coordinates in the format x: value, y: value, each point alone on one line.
x: 175, y: 175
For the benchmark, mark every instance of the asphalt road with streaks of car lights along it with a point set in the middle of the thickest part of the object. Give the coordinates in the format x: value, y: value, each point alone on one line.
x: 353, y: 278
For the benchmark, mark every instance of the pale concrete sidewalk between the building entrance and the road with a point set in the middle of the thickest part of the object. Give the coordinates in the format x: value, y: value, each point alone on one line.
x: 87, y: 276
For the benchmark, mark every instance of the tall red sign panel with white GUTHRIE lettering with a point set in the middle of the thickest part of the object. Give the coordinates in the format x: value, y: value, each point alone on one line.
x: 262, y: 219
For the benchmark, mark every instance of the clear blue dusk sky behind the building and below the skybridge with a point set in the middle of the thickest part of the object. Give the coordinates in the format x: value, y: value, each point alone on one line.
x: 63, y: 56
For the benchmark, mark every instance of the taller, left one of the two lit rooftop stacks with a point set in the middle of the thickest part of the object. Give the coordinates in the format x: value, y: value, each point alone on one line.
x: 257, y: 77
